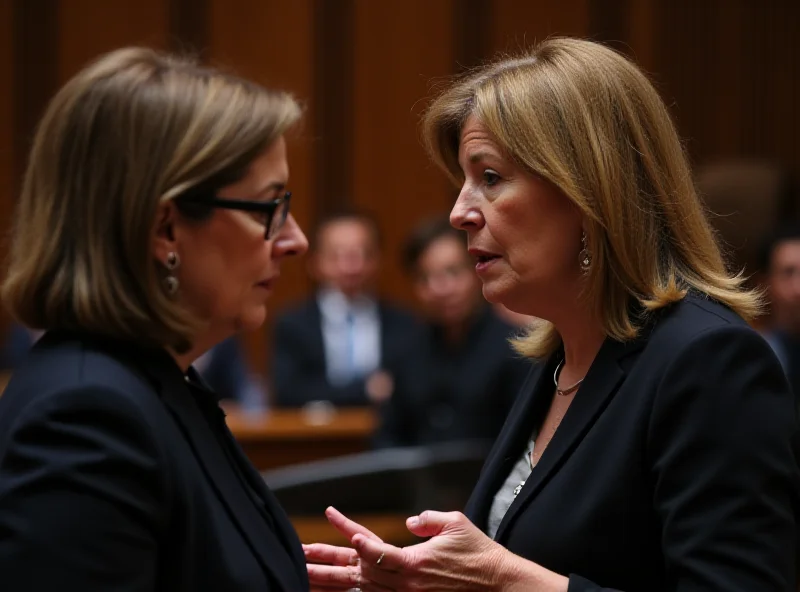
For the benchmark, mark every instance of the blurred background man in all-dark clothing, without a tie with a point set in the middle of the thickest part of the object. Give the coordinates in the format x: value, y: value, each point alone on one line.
x: 461, y: 381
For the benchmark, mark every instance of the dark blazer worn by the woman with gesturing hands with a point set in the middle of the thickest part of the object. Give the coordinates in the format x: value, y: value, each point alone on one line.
x: 674, y: 469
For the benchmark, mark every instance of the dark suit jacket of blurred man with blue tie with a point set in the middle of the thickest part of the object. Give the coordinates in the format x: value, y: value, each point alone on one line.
x: 299, y: 368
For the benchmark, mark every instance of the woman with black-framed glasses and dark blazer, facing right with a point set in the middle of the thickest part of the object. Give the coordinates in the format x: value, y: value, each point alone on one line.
x: 152, y: 225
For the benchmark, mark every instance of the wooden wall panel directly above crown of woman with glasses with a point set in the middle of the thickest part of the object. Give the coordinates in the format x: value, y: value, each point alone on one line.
x: 89, y: 28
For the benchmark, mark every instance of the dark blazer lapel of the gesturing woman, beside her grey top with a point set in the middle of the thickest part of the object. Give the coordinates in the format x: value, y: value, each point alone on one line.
x: 594, y: 395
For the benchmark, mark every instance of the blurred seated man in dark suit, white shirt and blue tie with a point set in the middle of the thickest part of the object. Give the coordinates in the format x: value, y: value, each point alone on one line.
x: 342, y: 344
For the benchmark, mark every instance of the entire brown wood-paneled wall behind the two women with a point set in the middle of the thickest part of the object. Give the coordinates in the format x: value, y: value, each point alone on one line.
x: 730, y: 69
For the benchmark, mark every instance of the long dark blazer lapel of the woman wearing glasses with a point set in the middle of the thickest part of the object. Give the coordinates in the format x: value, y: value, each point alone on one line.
x: 222, y: 477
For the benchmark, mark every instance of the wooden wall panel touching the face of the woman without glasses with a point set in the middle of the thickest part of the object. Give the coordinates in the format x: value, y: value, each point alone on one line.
x: 398, y: 53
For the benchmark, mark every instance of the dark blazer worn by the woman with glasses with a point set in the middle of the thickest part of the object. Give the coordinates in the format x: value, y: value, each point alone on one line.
x: 118, y: 474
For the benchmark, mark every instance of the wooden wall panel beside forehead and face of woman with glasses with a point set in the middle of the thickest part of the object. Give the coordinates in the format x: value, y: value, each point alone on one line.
x: 272, y: 43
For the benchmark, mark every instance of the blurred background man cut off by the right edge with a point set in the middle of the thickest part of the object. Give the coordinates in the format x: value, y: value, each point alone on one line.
x: 780, y: 262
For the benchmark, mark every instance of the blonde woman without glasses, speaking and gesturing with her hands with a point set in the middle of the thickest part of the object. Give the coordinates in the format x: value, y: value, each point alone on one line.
x: 655, y: 448
